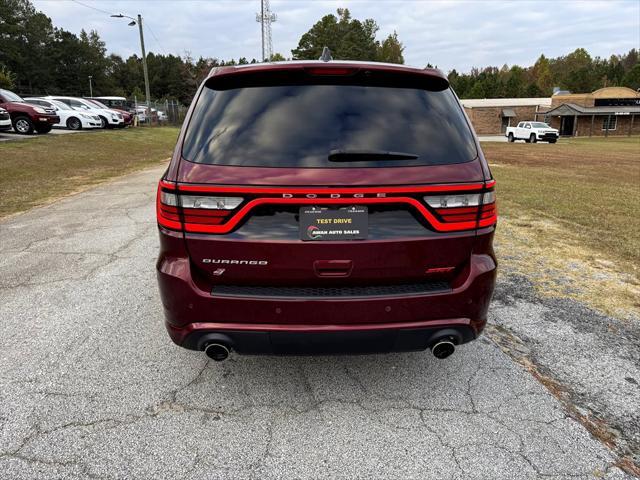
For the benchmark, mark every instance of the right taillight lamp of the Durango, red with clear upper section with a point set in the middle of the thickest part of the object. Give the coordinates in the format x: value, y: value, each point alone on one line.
x: 465, y: 207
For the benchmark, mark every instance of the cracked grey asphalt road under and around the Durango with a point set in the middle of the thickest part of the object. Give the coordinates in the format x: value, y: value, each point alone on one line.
x: 92, y: 387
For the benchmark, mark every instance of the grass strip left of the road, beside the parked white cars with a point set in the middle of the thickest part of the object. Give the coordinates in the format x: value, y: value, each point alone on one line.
x: 37, y: 170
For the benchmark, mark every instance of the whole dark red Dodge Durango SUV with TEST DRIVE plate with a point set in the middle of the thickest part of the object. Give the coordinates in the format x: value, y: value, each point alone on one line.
x: 326, y: 207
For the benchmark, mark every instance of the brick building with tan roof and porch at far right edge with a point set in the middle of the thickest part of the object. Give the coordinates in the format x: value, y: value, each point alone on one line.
x: 607, y: 111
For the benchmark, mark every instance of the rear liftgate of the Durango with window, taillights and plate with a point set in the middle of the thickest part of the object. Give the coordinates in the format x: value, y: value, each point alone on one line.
x: 327, y: 177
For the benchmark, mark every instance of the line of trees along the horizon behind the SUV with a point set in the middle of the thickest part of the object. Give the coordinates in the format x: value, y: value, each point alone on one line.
x: 37, y: 58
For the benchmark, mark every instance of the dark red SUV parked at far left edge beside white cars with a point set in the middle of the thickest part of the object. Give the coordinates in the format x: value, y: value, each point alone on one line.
x: 26, y: 118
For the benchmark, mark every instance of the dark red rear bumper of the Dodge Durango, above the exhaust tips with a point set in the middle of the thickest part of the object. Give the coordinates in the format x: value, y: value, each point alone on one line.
x: 253, y: 324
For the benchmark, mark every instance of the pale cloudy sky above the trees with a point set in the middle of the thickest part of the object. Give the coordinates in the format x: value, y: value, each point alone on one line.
x: 446, y: 33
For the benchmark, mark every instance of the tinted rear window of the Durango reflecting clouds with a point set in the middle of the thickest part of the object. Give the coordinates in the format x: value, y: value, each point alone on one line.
x: 299, y: 125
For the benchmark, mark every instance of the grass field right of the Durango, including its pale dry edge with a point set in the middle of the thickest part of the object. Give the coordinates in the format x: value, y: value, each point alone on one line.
x: 572, y: 209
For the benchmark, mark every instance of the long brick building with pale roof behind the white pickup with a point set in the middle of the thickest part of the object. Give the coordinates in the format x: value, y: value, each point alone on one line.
x: 492, y: 116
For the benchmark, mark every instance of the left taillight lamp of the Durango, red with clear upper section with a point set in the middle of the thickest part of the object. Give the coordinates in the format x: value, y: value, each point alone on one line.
x: 173, y: 208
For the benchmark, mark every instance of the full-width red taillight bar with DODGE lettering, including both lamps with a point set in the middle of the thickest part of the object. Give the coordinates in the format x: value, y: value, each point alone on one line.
x: 218, y: 209
